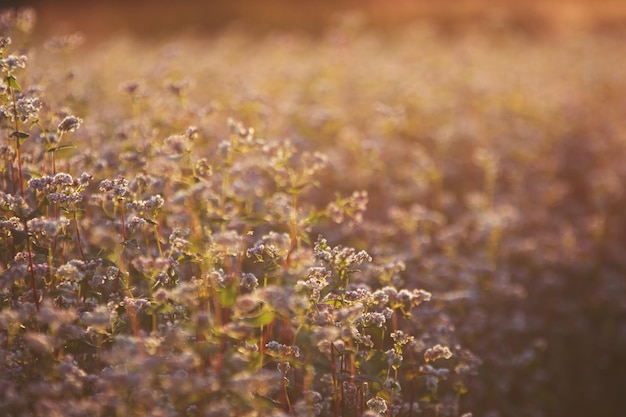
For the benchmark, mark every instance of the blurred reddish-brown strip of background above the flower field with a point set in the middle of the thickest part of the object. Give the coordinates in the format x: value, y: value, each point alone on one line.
x: 162, y: 17
